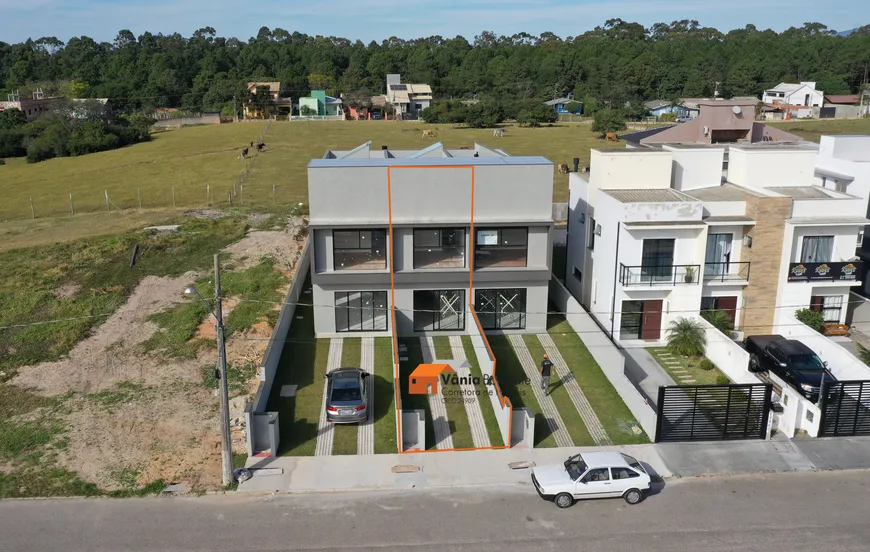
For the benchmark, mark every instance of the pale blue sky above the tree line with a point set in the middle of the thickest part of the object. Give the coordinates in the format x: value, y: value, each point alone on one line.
x: 380, y: 19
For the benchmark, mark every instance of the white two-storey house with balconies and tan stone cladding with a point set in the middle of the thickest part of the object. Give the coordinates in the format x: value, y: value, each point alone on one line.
x: 659, y: 233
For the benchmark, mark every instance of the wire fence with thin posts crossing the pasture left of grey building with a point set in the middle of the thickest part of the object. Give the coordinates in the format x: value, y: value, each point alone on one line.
x: 244, y: 190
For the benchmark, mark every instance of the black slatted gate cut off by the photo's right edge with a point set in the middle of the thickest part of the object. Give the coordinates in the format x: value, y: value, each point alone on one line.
x: 845, y: 409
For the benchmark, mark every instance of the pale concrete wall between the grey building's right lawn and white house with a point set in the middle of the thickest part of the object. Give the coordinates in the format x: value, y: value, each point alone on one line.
x: 605, y: 353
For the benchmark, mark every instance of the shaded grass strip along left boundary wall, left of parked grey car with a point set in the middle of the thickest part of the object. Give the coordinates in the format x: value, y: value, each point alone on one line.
x: 303, y: 363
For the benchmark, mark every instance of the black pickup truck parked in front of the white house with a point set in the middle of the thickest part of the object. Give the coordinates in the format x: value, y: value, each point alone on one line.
x: 791, y: 360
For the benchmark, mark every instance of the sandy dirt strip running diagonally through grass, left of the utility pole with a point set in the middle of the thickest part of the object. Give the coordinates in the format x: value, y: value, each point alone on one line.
x: 110, y: 355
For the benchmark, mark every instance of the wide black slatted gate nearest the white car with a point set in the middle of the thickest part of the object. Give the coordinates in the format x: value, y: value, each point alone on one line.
x: 713, y: 412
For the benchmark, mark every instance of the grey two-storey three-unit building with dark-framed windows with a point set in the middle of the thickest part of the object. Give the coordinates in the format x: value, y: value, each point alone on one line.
x: 429, y: 231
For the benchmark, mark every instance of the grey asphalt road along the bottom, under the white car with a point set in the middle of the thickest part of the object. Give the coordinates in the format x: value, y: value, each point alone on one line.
x: 789, y: 512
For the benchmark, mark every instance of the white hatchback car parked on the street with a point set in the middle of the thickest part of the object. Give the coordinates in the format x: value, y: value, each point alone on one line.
x: 592, y: 475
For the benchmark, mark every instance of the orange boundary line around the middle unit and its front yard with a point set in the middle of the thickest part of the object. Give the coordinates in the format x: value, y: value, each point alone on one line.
x: 504, y: 401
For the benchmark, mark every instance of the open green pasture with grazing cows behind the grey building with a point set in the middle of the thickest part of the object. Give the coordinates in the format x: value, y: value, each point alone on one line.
x: 191, y: 158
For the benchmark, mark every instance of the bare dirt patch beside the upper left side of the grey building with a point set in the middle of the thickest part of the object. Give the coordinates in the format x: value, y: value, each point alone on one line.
x: 283, y: 245
